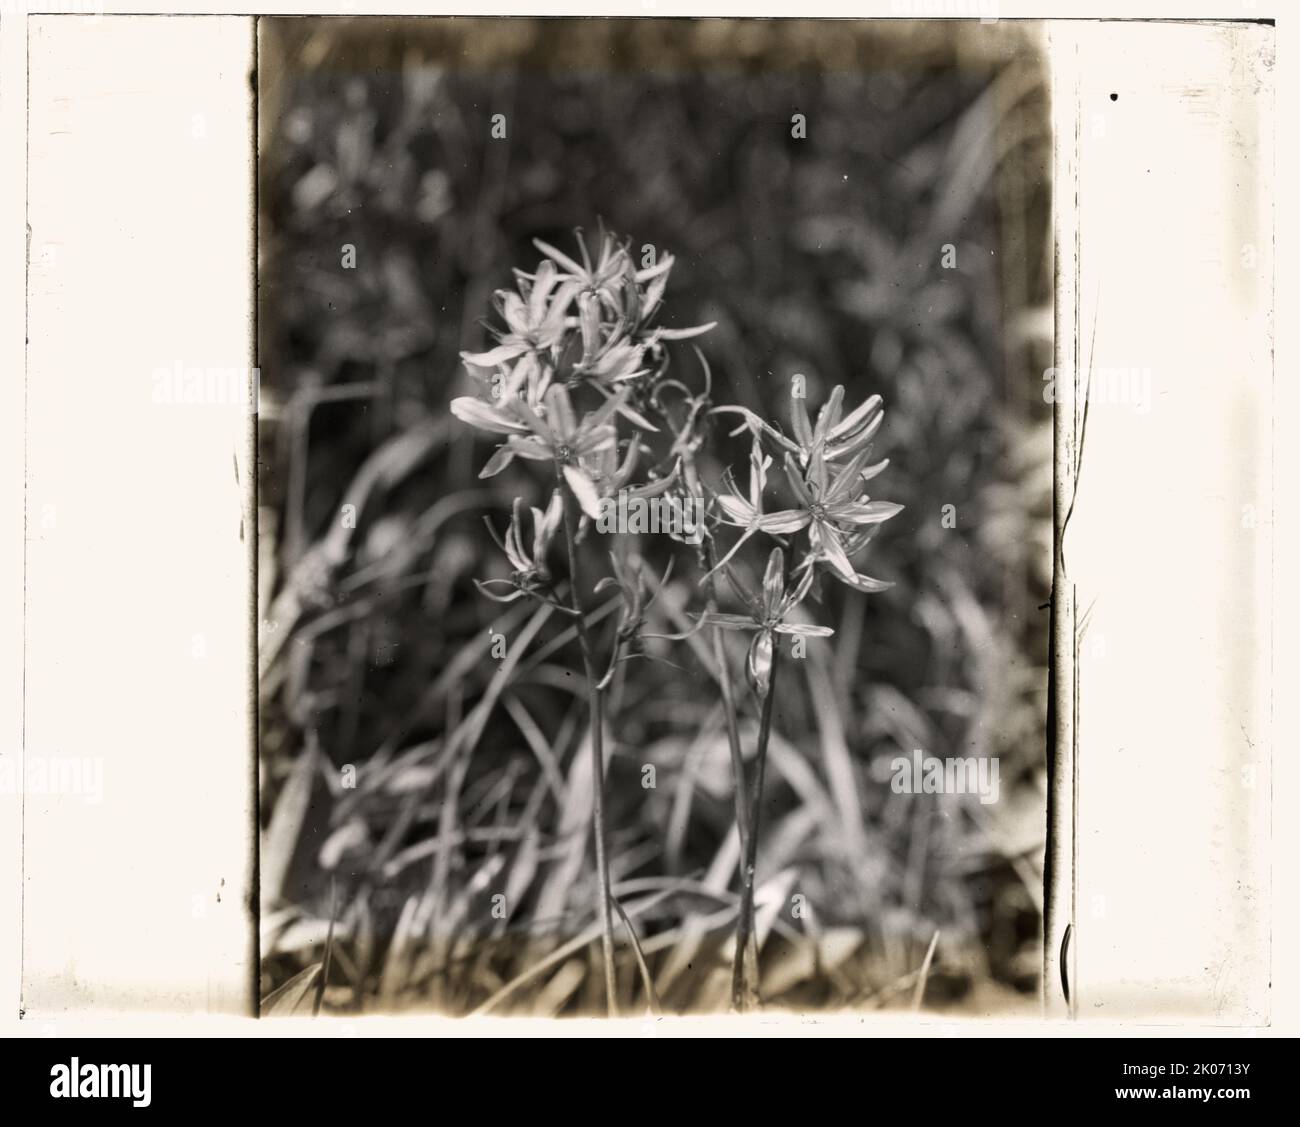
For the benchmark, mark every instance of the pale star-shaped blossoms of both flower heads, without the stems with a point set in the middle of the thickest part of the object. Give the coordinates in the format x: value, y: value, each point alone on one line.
x: 578, y: 380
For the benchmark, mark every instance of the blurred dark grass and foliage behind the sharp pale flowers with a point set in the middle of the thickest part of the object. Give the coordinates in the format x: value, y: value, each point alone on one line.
x: 402, y: 786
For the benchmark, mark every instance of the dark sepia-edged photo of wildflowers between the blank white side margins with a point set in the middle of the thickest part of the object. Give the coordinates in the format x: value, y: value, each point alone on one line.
x: 656, y: 515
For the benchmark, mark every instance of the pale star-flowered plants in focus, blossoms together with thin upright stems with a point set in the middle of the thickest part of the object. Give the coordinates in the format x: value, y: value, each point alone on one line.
x: 579, y: 379
